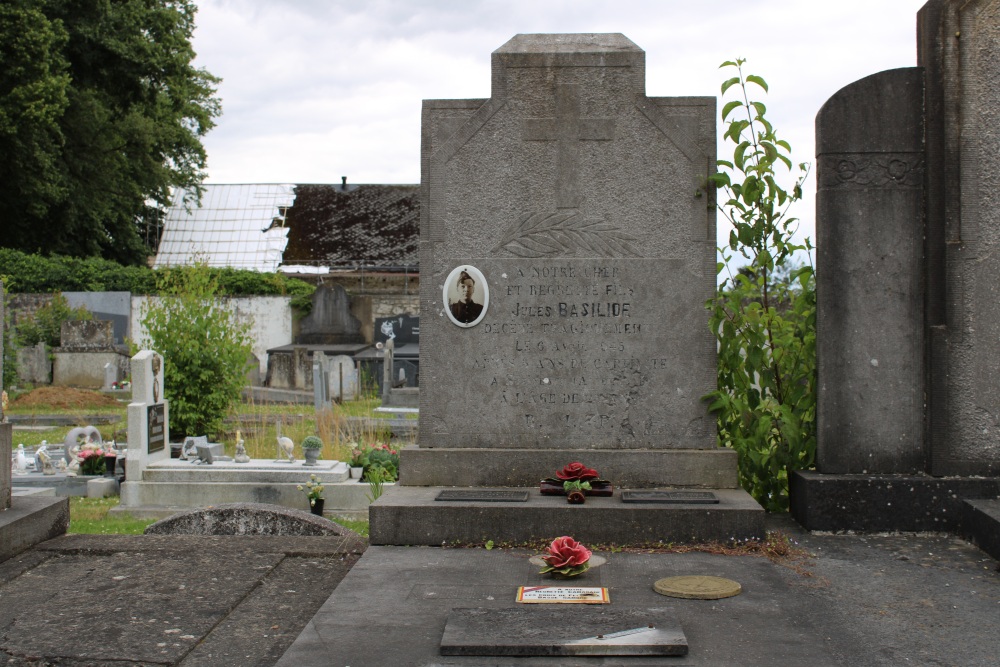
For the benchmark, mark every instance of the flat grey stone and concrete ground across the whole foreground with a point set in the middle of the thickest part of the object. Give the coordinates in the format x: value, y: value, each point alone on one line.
x: 814, y: 599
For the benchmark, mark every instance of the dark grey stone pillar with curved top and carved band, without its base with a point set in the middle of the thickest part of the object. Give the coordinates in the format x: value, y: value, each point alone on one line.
x: 870, y: 299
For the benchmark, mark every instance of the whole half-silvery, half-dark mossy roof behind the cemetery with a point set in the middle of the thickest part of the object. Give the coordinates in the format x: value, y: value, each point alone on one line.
x: 261, y: 226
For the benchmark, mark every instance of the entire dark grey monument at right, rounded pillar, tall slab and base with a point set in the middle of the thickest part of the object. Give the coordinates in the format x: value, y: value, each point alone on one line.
x: 908, y: 404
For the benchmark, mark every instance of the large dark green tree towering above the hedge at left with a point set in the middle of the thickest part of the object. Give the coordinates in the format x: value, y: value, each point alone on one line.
x: 101, y: 114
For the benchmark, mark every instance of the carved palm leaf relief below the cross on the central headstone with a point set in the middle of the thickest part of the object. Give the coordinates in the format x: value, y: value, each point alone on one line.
x: 560, y: 234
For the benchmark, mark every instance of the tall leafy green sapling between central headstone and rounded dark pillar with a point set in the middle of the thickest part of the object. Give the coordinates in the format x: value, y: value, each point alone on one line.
x: 764, y: 315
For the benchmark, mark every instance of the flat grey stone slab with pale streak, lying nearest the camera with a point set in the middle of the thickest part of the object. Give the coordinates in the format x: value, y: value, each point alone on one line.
x: 521, y: 631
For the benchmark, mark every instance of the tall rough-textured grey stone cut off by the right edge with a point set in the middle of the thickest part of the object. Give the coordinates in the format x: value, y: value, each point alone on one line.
x: 959, y: 47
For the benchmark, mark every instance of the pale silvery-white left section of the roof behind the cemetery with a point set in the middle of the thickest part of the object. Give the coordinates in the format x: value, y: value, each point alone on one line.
x: 239, y: 226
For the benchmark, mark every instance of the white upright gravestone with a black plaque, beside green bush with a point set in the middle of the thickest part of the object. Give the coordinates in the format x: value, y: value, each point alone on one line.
x: 148, y: 418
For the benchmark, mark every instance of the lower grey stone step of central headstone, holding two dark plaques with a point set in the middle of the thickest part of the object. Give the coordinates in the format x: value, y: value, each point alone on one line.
x: 409, y: 515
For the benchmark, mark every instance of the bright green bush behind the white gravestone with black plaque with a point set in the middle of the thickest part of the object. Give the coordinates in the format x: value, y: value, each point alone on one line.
x: 205, y: 349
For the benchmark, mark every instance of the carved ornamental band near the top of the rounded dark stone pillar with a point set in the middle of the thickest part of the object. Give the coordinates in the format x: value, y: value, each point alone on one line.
x: 871, y: 170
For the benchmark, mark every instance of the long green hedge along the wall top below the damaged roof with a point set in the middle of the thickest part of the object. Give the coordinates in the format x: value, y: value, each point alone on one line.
x: 34, y: 274
